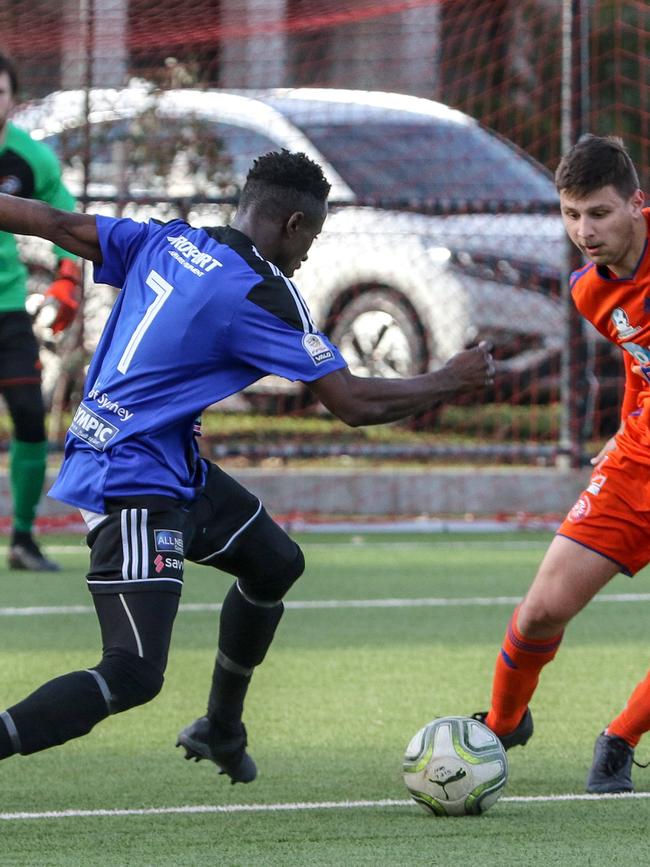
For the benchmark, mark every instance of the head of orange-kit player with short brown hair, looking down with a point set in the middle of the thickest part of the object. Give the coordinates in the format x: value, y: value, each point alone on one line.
x: 601, y: 203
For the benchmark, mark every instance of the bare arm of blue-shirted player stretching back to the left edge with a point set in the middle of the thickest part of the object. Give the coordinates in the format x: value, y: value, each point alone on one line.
x: 74, y: 232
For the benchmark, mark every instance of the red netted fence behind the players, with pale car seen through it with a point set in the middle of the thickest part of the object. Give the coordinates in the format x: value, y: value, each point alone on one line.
x: 441, y: 232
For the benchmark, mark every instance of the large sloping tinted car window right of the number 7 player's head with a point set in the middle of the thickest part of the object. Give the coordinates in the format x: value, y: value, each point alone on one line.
x: 436, y: 160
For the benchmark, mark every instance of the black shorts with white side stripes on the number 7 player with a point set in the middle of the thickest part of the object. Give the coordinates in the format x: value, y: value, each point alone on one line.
x: 143, y: 542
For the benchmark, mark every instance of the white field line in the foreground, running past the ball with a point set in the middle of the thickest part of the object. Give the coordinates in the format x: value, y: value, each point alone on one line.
x: 289, y: 807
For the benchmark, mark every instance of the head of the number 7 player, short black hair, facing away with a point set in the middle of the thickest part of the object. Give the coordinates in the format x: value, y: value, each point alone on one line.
x: 283, y: 206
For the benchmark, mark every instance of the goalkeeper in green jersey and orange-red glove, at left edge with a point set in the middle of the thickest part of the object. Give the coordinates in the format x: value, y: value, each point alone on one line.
x: 28, y: 169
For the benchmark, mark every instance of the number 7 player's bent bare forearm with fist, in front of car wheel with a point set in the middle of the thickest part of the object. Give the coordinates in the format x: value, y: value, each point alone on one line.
x: 358, y: 400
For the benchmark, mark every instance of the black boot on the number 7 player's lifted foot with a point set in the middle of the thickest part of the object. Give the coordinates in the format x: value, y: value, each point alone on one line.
x: 201, y: 741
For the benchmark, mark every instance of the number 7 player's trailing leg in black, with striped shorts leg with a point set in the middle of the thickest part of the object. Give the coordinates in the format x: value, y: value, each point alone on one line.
x: 136, y: 593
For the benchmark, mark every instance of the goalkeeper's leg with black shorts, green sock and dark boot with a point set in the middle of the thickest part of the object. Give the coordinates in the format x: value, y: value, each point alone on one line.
x: 20, y: 385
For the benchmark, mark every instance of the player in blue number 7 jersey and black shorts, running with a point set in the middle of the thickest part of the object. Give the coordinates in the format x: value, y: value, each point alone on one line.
x: 201, y: 314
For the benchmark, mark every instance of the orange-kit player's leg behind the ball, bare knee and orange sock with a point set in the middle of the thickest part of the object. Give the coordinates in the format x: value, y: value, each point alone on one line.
x: 569, y: 576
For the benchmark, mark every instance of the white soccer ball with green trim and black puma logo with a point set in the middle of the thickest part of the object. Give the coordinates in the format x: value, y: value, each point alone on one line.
x: 455, y: 766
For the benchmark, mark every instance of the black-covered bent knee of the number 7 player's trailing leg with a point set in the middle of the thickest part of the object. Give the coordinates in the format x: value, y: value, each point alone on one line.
x: 130, y: 680
